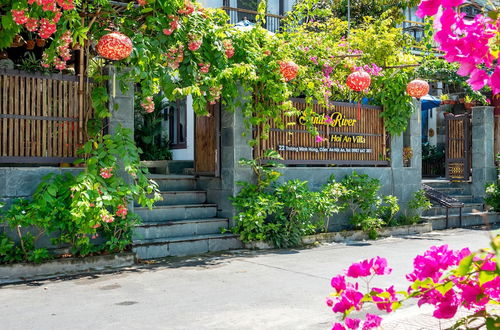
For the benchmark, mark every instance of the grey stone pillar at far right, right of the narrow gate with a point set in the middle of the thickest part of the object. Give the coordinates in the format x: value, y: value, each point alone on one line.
x: 483, y: 164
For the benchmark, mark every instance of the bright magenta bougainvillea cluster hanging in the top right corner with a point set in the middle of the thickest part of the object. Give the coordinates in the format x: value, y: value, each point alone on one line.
x: 466, y: 42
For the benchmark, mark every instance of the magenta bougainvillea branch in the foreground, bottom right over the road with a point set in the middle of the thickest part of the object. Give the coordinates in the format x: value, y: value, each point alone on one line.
x: 445, y: 278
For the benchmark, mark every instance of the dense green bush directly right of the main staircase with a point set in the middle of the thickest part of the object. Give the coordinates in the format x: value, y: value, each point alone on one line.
x: 278, y: 213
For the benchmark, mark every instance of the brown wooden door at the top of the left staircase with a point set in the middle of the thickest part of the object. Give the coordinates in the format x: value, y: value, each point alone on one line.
x: 207, y: 142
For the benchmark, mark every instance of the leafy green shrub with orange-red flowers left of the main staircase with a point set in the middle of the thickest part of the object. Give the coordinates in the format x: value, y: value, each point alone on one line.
x: 76, y: 209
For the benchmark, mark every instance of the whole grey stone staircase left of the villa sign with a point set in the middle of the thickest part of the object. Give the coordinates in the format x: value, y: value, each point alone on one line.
x: 182, y: 224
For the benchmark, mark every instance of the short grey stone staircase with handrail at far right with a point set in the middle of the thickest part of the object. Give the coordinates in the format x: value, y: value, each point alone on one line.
x: 473, y: 212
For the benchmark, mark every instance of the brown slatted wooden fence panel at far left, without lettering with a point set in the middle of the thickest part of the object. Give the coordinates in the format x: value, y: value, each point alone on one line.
x: 42, y: 117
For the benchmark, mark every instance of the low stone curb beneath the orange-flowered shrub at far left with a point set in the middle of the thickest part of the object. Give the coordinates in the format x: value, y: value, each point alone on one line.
x: 14, y: 273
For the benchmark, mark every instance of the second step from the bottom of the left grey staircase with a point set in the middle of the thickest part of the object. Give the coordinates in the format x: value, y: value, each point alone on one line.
x: 169, y: 229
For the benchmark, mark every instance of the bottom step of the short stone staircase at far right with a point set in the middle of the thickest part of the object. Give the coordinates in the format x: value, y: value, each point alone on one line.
x: 468, y: 220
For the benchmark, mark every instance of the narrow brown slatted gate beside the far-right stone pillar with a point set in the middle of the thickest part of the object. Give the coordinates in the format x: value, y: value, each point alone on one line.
x: 458, y: 147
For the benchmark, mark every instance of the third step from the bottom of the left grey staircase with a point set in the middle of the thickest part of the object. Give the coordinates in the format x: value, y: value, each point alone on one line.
x: 177, y: 212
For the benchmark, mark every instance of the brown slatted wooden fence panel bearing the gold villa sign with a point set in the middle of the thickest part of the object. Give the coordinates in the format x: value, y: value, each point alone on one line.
x: 347, y: 140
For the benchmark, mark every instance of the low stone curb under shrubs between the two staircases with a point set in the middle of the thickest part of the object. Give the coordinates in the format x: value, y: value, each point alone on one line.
x: 351, y: 235
